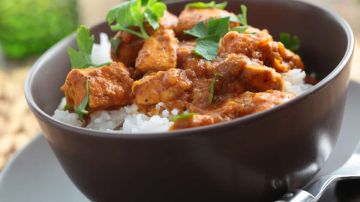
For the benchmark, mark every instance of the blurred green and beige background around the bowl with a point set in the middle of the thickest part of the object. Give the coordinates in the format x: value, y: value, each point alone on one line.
x: 30, y: 27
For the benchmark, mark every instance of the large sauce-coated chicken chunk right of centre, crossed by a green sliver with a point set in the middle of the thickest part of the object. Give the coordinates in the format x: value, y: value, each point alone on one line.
x: 237, y: 74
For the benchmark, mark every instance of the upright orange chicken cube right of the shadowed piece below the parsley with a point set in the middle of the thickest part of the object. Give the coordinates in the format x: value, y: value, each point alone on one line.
x: 158, y: 52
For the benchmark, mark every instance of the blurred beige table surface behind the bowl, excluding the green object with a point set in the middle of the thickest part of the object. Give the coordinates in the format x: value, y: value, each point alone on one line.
x: 17, y: 124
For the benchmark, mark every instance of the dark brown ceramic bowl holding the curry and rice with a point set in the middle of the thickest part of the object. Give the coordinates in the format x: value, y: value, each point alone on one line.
x: 254, y: 158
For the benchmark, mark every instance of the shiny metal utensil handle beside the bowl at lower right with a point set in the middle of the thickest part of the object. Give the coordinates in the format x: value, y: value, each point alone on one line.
x: 313, y: 191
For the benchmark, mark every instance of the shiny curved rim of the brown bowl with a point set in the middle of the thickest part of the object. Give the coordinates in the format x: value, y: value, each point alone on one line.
x: 238, y: 121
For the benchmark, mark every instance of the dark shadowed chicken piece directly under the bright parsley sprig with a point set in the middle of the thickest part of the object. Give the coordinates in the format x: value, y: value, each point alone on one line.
x: 128, y: 49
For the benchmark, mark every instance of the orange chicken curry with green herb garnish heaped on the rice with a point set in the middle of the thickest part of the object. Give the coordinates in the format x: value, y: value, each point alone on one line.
x: 207, y: 63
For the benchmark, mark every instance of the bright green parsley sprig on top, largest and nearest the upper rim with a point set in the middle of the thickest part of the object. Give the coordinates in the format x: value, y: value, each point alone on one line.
x: 131, y: 14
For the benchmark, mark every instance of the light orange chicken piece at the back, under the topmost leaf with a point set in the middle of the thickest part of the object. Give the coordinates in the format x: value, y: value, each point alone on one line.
x: 189, y: 17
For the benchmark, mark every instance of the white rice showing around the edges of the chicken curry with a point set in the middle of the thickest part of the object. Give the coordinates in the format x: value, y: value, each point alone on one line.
x: 129, y: 120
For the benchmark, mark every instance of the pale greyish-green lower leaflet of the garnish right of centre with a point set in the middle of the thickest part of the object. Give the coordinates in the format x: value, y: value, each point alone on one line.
x: 207, y: 47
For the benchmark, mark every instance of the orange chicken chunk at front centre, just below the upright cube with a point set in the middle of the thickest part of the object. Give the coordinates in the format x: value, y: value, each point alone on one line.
x: 163, y: 86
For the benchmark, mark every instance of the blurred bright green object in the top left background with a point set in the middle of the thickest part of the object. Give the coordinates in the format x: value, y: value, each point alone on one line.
x: 29, y: 27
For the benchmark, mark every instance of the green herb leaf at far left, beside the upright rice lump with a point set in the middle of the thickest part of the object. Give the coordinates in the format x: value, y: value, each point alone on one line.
x: 82, y: 57
